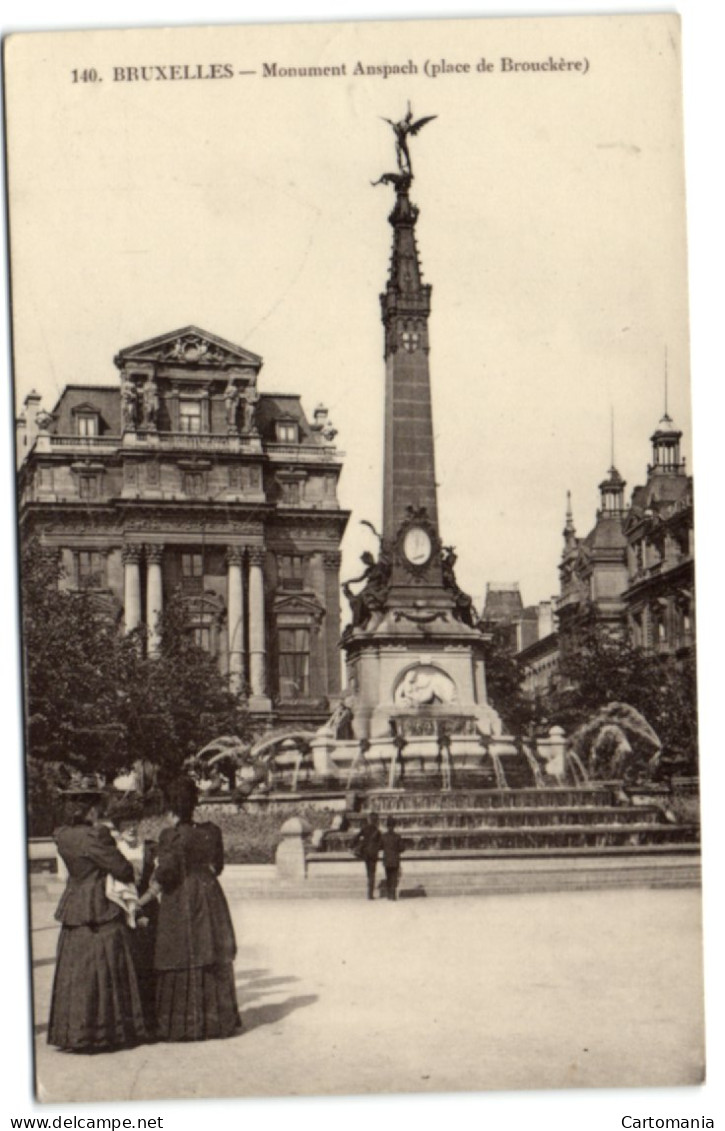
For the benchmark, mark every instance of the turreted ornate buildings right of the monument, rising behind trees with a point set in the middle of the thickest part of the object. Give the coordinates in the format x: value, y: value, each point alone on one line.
x: 635, y: 569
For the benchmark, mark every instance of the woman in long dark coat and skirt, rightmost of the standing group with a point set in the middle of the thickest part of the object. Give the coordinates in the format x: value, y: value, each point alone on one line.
x: 196, y: 997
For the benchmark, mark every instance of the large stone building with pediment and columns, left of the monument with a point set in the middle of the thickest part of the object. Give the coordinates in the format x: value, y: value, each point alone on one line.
x: 187, y: 480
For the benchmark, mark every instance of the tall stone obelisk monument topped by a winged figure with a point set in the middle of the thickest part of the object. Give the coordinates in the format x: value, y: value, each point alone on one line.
x: 415, y: 658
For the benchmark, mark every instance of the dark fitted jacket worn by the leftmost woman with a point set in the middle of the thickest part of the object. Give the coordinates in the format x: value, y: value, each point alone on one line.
x: 90, y: 856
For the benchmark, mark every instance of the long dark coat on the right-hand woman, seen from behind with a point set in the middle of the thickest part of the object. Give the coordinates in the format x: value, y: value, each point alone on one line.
x: 195, y: 928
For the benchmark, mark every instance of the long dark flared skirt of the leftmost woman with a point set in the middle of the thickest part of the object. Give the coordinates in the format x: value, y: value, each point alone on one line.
x: 97, y: 1005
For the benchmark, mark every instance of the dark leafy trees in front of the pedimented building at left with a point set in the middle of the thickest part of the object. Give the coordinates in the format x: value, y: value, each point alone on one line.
x: 94, y: 702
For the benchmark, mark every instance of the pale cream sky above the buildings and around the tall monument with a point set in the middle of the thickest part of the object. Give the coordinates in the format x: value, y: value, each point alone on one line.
x: 551, y: 229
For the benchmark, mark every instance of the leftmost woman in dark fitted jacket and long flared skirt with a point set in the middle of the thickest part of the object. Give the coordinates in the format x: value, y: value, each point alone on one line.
x: 97, y: 1005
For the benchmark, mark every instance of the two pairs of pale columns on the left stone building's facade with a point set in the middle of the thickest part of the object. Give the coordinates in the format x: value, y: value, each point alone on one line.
x: 152, y: 556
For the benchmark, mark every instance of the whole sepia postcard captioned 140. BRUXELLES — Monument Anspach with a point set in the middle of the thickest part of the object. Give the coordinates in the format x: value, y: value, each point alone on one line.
x: 356, y: 511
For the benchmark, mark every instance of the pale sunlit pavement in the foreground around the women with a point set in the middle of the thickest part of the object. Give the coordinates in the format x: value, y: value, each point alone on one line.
x: 346, y: 997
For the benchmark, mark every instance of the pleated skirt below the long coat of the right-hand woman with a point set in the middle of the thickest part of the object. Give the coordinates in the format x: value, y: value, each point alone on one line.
x: 197, y: 1004
